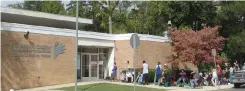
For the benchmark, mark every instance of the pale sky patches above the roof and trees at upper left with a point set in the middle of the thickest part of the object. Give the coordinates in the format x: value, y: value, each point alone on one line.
x: 4, y: 3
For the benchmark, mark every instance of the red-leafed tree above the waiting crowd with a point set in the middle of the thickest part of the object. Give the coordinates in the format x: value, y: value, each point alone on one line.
x: 195, y: 46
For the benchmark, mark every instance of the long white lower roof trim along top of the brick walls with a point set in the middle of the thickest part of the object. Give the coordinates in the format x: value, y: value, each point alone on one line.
x: 70, y: 32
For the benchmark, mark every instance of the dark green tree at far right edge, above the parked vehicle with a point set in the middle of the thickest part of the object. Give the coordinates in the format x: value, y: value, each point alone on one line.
x: 231, y: 17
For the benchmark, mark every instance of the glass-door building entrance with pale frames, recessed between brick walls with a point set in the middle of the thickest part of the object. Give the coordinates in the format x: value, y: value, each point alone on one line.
x: 91, y: 65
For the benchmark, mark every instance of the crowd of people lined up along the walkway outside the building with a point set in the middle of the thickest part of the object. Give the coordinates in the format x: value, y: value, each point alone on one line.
x: 194, y: 79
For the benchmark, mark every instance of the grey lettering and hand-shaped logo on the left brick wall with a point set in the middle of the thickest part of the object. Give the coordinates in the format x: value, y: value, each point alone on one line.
x: 43, y: 51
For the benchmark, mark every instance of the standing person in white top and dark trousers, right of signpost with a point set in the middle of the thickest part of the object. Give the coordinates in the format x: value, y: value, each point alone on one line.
x: 145, y: 73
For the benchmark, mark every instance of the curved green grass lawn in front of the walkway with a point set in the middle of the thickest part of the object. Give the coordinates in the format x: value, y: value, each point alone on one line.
x: 108, y: 87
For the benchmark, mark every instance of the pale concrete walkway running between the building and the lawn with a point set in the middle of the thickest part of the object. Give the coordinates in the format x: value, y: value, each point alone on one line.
x: 205, y: 88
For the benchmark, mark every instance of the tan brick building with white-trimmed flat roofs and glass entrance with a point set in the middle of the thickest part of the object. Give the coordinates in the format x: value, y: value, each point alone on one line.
x: 46, y: 55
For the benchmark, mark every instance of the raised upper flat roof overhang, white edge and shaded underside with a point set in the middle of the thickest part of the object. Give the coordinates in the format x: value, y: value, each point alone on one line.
x: 41, y: 18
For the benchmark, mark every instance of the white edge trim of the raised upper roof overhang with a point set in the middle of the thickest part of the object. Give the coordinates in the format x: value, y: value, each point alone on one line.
x: 45, y: 15
